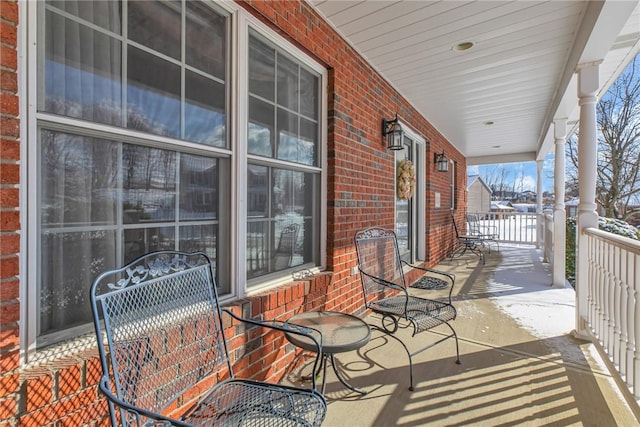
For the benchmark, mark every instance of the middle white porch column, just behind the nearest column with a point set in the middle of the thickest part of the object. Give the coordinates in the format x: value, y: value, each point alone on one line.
x: 559, y: 213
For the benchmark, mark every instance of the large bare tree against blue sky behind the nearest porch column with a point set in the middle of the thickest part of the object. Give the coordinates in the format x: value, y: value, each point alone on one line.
x: 618, y: 177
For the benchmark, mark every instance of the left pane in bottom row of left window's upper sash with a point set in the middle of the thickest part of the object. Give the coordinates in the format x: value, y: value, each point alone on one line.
x: 82, y: 72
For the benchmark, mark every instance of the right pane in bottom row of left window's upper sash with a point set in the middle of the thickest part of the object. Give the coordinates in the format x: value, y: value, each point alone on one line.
x: 205, y: 119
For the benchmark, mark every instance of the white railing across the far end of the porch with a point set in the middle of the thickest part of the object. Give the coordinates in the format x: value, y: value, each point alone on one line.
x: 512, y: 227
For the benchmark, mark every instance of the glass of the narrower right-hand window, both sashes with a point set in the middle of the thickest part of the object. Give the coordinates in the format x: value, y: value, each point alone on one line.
x: 283, y: 144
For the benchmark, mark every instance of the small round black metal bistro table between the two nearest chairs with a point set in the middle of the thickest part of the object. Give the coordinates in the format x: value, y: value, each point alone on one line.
x: 340, y: 332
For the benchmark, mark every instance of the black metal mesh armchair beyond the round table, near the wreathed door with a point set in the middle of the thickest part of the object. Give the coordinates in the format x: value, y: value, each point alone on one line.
x: 385, y: 291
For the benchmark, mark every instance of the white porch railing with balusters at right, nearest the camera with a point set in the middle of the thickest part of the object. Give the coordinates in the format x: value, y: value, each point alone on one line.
x: 613, y: 299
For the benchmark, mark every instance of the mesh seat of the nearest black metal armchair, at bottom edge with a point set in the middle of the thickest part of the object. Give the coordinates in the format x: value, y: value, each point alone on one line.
x: 242, y: 402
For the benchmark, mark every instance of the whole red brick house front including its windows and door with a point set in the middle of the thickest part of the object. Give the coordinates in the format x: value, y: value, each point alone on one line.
x: 196, y: 126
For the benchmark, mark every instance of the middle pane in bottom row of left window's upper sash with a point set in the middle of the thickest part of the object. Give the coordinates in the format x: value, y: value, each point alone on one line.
x: 153, y: 94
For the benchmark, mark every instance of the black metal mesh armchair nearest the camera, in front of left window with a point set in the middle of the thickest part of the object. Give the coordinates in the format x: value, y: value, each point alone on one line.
x: 165, y: 345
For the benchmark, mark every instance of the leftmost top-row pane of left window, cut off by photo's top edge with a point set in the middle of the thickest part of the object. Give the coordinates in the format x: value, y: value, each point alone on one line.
x: 106, y: 14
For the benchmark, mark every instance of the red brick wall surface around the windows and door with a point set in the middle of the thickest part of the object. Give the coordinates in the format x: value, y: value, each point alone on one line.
x: 361, y: 193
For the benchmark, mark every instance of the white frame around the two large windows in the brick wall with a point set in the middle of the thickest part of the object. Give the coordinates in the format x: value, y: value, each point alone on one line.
x: 240, y: 22
